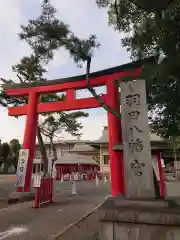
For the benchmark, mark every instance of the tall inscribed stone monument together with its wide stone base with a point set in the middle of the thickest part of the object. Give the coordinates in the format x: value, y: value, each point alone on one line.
x: 138, y: 215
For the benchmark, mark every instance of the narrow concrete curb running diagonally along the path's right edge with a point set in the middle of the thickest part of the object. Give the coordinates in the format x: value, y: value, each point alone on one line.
x: 67, y: 228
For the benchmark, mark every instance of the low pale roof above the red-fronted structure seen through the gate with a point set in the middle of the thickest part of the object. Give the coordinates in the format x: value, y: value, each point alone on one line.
x: 75, y: 159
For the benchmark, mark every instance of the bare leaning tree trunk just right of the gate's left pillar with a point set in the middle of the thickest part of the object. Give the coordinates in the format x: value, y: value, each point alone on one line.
x: 42, y: 151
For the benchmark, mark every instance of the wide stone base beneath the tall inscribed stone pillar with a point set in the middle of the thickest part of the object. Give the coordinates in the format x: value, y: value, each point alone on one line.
x: 123, y: 219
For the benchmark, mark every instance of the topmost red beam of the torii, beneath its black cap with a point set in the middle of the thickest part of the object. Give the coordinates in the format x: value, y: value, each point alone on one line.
x: 95, y: 82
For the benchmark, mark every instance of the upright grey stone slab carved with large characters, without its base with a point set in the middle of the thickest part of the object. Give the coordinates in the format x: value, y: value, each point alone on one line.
x: 135, y: 134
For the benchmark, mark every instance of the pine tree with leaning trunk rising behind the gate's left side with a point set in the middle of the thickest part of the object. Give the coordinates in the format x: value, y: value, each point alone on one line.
x: 45, y: 35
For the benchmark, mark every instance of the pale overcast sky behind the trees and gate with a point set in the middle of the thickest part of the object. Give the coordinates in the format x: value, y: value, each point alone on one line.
x: 84, y: 18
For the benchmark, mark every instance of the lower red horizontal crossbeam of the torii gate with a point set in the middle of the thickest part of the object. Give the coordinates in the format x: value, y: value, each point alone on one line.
x: 84, y: 103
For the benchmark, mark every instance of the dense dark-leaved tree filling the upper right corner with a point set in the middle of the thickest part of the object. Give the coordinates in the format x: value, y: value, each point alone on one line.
x: 154, y: 33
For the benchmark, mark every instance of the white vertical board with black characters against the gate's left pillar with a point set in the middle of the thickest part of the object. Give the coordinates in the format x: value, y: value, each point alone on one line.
x: 22, y: 166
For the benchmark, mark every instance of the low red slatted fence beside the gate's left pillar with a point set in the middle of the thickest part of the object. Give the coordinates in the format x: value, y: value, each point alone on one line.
x: 44, y: 192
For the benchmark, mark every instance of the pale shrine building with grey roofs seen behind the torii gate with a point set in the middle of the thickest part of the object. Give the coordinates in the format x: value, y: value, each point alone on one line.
x: 91, y: 152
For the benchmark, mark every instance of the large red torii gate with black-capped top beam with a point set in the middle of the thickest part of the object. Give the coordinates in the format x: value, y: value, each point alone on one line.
x: 106, y: 78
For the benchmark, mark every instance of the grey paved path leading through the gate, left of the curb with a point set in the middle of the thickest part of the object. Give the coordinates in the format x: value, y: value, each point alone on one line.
x: 47, y: 221
